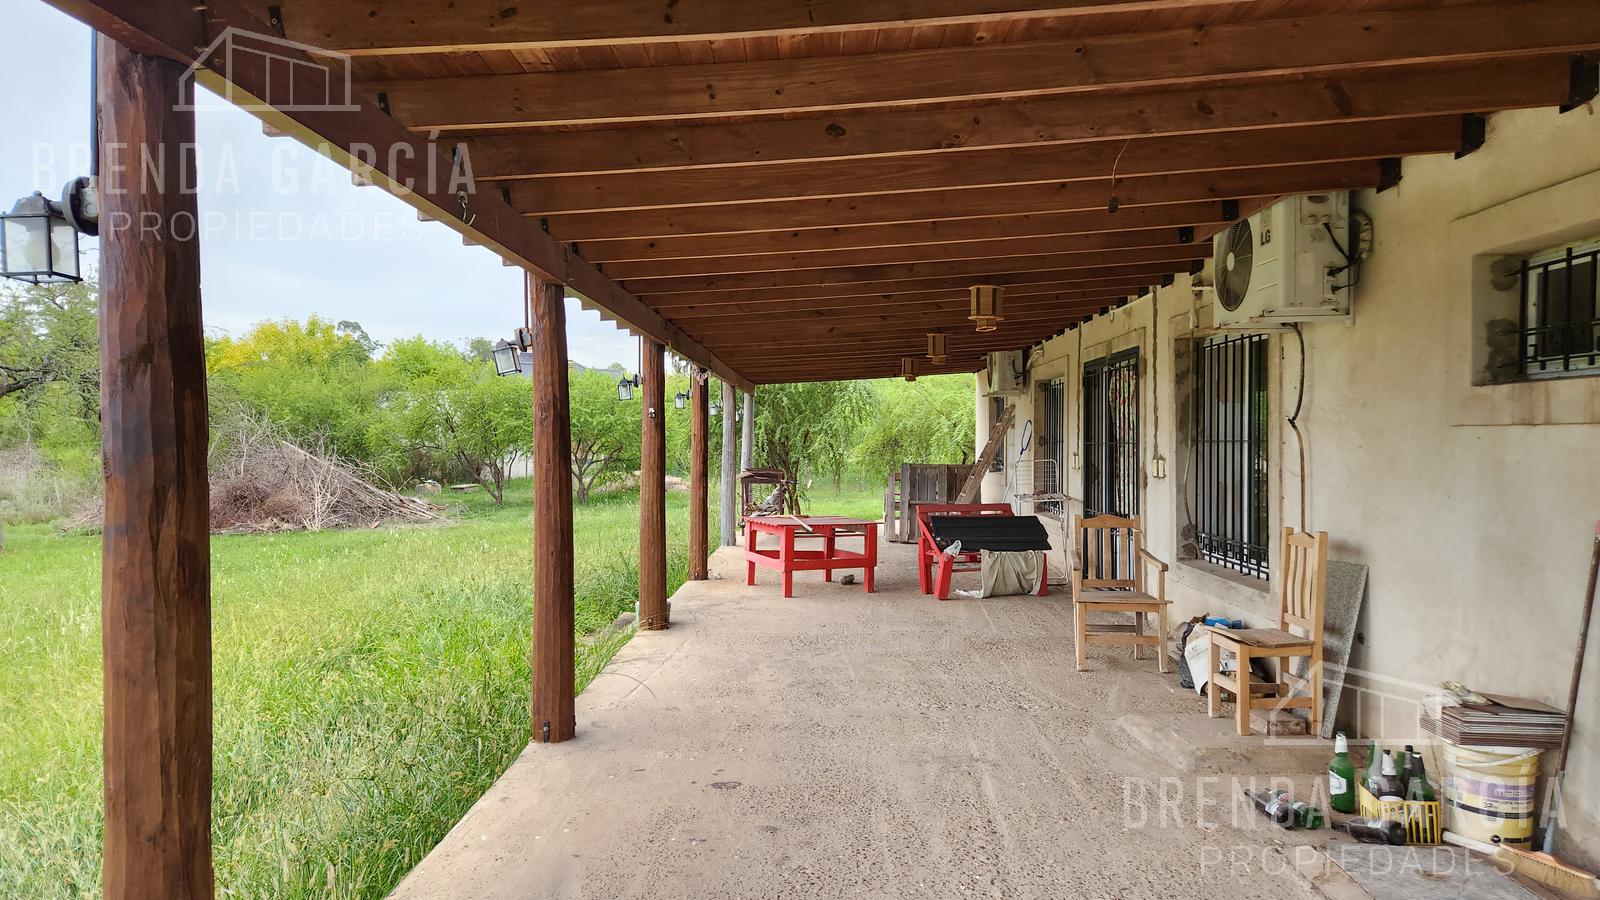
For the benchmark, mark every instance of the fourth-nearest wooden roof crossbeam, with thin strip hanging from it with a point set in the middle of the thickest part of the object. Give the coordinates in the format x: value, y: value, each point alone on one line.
x: 991, y: 169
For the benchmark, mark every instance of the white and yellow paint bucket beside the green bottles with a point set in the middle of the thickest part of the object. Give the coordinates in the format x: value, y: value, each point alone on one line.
x: 1490, y: 794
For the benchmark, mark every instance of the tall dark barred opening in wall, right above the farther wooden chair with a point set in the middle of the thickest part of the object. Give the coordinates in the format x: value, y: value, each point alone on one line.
x: 1111, y: 436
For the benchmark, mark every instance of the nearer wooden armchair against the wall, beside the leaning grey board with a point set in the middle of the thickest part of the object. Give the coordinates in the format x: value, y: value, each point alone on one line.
x: 1302, y: 590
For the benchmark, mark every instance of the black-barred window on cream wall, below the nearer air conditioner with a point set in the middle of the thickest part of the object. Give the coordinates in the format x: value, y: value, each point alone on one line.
x: 1231, y: 452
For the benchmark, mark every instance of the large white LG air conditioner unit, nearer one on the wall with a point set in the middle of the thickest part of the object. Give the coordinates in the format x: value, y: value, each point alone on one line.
x: 1286, y: 265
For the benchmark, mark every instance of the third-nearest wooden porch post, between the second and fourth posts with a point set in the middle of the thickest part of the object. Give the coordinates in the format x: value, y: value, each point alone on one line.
x: 652, y: 489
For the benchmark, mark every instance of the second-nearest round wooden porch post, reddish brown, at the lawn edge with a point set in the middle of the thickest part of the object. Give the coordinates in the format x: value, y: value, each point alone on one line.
x: 554, y: 718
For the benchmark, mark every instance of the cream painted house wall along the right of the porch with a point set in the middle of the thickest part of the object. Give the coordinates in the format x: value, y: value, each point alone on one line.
x: 1474, y: 507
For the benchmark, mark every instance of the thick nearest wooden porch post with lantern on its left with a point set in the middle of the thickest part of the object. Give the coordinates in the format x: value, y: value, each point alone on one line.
x: 156, y: 574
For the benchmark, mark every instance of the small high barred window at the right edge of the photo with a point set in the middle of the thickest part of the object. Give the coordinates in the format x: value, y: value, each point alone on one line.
x: 1561, y: 311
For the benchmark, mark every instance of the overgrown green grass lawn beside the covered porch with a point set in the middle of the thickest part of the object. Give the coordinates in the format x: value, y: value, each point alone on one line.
x: 370, y: 685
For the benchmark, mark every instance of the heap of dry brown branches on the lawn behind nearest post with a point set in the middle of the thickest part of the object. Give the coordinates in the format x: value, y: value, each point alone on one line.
x: 262, y: 483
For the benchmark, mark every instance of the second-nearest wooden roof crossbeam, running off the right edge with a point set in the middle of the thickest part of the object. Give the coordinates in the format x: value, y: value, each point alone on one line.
x: 1497, y: 30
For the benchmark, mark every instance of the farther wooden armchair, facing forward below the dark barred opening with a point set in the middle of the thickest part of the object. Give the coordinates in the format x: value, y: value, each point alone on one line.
x: 1111, y: 576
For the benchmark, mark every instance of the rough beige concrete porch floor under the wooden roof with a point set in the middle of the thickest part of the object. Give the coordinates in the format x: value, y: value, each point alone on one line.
x: 863, y: 745
